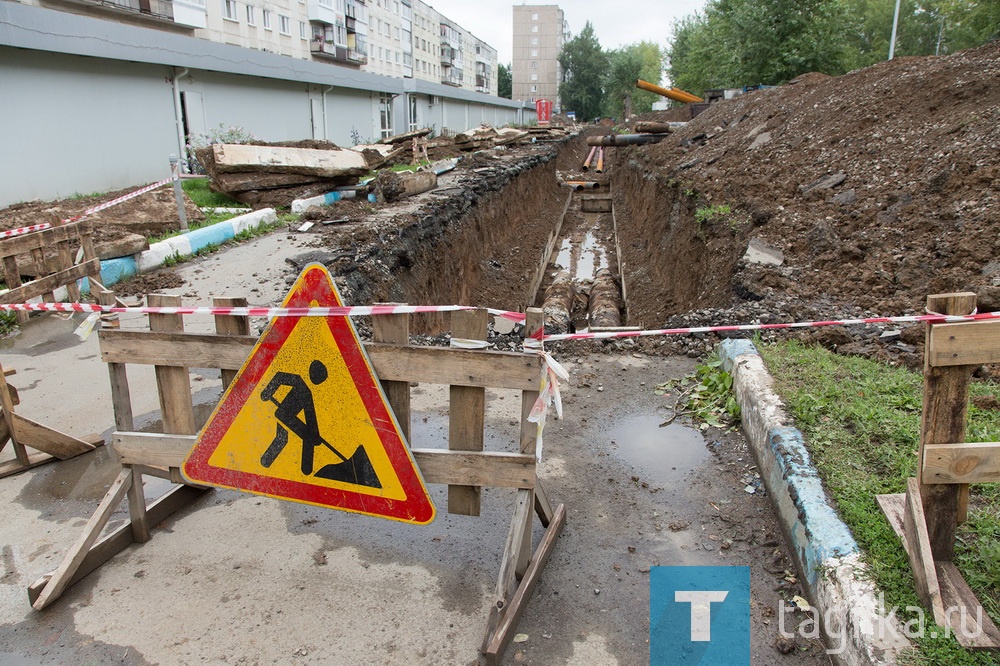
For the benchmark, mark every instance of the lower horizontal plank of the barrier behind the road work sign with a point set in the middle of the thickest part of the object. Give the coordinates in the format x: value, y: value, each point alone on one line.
x: 495, y: 469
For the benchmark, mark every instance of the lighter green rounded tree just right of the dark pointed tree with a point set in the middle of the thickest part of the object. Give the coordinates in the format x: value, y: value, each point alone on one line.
x: 641, y: 60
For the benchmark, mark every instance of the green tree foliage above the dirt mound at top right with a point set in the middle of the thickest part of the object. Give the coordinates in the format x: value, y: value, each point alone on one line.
x: 745, y: 42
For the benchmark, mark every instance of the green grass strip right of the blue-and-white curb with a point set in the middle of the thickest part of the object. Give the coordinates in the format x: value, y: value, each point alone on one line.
x: 861, y: 422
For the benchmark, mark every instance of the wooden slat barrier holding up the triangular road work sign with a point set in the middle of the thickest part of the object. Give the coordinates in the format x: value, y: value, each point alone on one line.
x: 464, y: 466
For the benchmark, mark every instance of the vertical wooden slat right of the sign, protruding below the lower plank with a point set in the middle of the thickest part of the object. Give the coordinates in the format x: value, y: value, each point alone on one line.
x: 467, y: 407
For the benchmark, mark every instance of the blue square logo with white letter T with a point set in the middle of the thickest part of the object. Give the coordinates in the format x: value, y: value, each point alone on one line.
x: 699, y: 616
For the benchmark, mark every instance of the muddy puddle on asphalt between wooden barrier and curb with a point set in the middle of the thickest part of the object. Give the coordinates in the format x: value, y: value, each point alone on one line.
x: 665, y: 455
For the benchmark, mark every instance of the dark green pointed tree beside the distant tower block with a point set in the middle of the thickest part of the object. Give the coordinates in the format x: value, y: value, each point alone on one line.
x: 584, y: 64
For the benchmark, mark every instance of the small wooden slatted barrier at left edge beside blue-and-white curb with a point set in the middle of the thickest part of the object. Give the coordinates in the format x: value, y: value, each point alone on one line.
x: 50, y: 272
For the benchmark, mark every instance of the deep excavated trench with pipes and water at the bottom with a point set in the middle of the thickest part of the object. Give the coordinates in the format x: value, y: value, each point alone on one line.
x: 598, y: 251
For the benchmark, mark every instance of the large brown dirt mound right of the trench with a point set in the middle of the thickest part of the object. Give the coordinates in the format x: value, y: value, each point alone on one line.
x: 880, y: 186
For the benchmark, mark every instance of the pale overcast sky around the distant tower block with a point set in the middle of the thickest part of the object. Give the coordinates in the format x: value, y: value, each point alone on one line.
x: 616, y: 22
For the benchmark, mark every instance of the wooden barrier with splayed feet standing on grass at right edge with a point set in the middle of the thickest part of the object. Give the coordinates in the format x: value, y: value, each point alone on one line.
x: 926, y: 516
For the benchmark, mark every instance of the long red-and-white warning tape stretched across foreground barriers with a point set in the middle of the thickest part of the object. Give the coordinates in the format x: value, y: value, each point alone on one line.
x: 538, y: 336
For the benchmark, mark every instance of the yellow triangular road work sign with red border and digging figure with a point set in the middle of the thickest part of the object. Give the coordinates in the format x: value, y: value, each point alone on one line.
x: 306, y: 420
